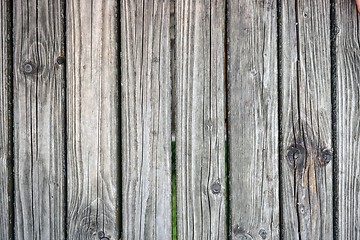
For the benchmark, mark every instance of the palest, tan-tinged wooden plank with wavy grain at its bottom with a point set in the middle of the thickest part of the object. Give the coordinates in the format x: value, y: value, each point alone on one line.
x: 92, y: 119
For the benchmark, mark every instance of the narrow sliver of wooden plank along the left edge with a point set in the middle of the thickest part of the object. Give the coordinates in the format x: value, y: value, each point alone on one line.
x: 5, y: 127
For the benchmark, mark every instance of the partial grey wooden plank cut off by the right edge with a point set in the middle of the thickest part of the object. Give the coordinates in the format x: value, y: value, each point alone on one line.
x: 347, y: 118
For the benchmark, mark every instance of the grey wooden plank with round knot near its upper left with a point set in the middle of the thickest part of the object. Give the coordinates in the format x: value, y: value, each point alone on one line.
x: 38, y: 120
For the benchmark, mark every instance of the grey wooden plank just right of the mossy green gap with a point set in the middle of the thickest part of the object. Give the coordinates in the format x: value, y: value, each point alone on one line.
x: 200, y: 127
